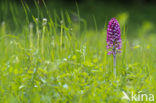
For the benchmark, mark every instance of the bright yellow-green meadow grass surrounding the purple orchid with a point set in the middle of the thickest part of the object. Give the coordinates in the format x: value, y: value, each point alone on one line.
x: 64, y: 61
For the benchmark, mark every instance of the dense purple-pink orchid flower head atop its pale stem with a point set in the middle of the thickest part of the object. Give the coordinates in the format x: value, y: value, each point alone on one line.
x: 113, y: 37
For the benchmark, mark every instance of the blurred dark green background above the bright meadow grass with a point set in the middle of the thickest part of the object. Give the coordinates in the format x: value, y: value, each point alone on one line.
x: 135, y: 15
